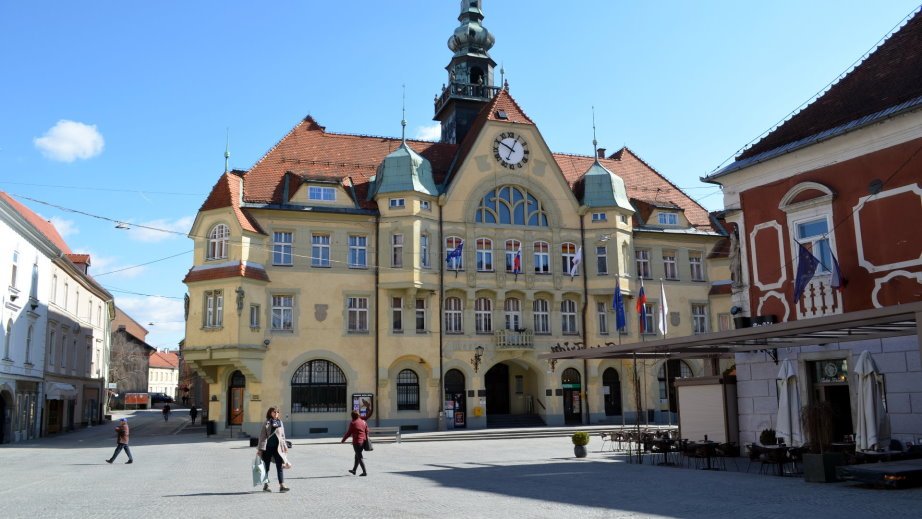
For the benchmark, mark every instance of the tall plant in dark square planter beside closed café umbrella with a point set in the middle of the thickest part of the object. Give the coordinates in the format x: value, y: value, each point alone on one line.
x: 819, y: 463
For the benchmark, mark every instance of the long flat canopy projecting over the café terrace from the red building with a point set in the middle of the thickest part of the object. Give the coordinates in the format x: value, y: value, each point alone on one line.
x: 877, y: 323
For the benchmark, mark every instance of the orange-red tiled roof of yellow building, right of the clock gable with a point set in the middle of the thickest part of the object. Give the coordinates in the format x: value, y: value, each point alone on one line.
x: 641, y: 181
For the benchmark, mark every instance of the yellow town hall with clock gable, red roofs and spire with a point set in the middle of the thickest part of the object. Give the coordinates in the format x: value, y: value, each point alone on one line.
x: 420, y: 281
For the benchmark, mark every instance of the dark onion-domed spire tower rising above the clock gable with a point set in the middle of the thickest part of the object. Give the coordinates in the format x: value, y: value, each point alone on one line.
x: 470, y: 74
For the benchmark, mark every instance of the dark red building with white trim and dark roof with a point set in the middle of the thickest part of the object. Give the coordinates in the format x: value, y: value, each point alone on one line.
x: 841, y: 181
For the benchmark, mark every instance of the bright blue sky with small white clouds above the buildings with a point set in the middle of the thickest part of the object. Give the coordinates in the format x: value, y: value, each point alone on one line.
x: 118, y: 111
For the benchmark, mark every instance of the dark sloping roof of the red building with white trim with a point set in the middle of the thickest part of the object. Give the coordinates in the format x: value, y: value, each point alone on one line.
x: 889, y: 76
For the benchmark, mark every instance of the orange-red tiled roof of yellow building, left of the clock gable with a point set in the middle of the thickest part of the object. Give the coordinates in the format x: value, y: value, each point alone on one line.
x: 309, y: 150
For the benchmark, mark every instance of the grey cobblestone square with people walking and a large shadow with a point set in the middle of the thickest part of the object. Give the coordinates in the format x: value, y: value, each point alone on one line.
x: 191, y: 475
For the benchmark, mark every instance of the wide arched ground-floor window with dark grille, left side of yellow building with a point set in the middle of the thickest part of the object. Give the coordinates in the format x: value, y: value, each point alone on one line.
x: 318, y: 386
